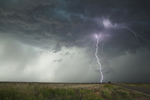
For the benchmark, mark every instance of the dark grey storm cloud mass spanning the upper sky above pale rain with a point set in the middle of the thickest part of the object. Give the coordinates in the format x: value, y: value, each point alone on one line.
x: 54, y: 24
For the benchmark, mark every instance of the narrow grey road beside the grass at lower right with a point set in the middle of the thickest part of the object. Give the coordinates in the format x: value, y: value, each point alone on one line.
x: 139, y: 89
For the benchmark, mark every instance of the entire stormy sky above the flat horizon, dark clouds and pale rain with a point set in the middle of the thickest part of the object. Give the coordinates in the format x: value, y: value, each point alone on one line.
x: 54, y: 40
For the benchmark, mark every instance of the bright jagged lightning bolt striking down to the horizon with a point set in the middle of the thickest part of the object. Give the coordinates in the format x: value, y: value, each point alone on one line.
x: 100, y: 66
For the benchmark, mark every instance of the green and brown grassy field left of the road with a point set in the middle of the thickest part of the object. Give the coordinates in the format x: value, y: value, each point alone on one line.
x: 49, y: 91
